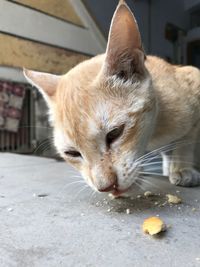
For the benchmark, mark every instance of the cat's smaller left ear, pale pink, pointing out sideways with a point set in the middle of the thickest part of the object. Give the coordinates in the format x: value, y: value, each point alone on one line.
x: 45, y: 82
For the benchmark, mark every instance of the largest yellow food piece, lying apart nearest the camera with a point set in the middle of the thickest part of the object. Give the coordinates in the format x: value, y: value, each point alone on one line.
x: 153, y: 226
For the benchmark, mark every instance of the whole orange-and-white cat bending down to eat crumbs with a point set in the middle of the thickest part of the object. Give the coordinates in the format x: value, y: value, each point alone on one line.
x: 109, y: 110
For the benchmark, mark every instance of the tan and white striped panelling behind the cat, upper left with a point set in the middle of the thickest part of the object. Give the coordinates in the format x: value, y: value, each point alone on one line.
x: 44, y: 35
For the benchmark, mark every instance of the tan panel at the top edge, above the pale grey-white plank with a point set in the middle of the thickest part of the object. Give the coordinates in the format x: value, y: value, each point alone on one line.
x: 58, y: 8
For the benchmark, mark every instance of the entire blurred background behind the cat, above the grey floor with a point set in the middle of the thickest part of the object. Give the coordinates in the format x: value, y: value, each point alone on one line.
x: 54, y: 35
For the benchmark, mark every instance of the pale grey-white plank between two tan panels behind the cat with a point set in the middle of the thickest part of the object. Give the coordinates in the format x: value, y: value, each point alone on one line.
x: 30, y: 24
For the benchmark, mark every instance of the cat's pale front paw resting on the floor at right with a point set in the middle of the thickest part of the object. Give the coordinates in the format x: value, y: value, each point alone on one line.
x: 185, y: 177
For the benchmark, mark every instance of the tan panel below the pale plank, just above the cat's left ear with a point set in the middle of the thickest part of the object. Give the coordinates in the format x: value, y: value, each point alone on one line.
x: 16, y: 52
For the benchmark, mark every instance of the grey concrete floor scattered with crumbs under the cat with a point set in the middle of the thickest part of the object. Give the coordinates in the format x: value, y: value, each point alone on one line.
x: 45, y: 222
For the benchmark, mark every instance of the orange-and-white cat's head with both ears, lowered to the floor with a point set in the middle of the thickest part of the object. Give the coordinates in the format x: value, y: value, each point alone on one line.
x: 103, y: 110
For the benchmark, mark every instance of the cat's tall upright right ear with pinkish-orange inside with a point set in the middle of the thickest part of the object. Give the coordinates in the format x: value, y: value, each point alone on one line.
x: 124, y: 54
